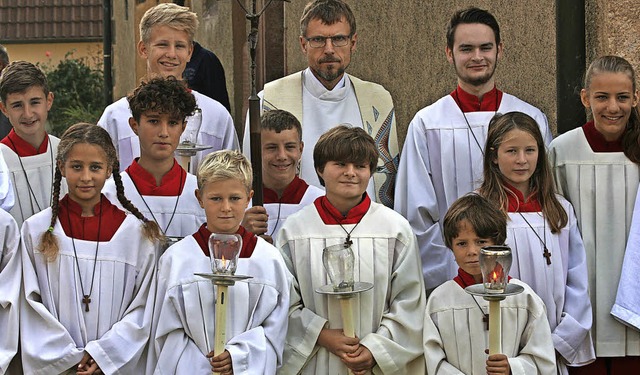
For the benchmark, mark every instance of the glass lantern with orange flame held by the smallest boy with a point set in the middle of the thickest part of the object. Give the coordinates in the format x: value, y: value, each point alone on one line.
x: 495, y: 262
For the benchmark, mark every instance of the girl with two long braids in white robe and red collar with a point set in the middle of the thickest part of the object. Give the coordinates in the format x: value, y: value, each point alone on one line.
x: 87, y: 278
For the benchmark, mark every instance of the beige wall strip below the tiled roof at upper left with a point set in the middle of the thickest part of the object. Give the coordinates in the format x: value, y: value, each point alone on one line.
x: 52, y: 53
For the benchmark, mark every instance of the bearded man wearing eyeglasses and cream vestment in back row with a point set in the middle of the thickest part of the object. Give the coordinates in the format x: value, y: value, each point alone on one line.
x: 323, y: 96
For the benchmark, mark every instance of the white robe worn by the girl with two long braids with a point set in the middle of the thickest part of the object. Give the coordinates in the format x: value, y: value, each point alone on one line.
x: 55, y: 329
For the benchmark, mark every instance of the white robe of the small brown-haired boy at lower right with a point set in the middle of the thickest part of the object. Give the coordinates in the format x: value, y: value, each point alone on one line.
x: 455, y: 337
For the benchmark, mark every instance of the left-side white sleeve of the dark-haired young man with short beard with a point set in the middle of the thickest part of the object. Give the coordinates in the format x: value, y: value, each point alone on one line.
x: 416, y: 200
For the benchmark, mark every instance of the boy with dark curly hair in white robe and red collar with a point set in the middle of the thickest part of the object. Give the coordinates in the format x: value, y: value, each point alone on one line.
x: 155, y: 182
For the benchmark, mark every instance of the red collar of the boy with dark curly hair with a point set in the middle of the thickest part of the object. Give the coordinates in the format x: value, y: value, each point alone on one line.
x: 171, y: 184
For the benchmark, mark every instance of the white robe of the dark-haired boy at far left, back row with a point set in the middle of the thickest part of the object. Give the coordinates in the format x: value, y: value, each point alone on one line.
x: 35, y: 195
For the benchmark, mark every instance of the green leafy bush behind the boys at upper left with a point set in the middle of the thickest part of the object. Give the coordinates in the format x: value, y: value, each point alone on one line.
x: 77, y: 87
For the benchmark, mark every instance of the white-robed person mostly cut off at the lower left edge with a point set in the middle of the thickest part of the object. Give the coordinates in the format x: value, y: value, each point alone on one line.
x: 10, y: 287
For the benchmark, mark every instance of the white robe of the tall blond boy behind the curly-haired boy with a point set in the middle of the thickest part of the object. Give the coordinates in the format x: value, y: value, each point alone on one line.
x: 212, y: 126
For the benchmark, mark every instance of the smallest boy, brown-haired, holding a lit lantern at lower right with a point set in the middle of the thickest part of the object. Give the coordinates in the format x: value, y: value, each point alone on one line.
x: 456, y: 323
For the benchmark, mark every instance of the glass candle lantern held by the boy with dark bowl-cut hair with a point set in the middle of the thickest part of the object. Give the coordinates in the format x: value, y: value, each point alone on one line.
x: 338, y: 261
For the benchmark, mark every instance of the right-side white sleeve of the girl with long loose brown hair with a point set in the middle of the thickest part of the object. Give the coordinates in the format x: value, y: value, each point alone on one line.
x: 572, y: 336
